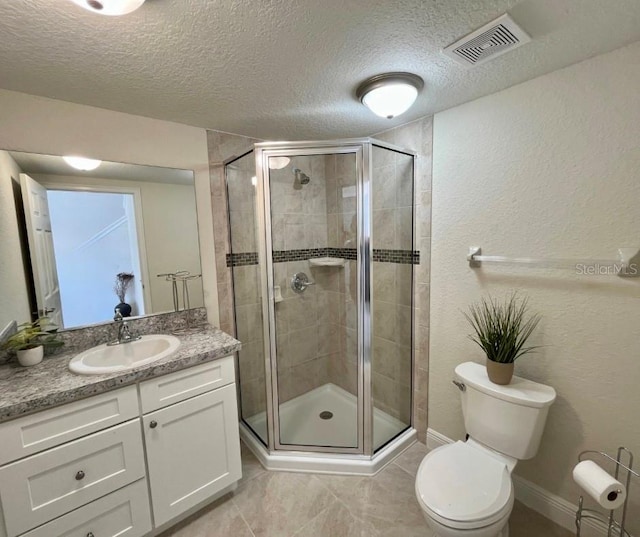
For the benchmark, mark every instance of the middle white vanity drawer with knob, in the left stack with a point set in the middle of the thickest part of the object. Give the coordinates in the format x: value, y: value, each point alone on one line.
x: 42, y: 487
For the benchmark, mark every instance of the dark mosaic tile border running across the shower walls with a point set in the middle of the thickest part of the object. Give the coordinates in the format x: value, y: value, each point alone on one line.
x: 409, y: 257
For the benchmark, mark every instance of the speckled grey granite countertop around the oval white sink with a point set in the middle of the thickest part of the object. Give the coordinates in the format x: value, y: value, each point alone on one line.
x: 24, y: 390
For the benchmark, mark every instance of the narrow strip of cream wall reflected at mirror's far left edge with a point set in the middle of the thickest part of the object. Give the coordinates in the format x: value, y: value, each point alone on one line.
x: 14, y: 302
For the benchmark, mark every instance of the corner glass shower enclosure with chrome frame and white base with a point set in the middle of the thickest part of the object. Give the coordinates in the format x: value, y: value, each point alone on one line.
x: 322, y: 255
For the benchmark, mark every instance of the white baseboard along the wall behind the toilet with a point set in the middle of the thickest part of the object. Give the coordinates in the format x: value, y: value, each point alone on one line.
x: 549, y: 505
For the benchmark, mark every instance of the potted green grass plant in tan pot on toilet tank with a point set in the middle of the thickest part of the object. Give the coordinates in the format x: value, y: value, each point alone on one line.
x: 501, y: 331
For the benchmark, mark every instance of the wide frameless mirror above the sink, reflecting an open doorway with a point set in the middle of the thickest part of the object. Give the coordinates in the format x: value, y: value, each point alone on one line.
x: 78, y: 243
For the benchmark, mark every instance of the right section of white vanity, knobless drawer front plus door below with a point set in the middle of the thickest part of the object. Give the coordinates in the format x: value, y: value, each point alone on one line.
x: 193, y: 447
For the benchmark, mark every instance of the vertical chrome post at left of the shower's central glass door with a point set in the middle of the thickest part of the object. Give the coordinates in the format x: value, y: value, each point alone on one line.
x: 265, y: 265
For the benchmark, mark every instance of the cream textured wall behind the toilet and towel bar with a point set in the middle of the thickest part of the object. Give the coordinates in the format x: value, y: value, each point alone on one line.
x: 548, y: 168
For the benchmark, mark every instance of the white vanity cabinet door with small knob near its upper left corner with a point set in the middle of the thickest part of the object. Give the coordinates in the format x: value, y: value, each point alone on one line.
x: 193, y: 451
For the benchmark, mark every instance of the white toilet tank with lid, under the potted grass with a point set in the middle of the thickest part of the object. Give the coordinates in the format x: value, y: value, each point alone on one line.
x: 509, y: 419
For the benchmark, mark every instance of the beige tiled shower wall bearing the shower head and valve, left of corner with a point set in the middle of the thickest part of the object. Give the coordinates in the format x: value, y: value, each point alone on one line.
x: 299, y: 222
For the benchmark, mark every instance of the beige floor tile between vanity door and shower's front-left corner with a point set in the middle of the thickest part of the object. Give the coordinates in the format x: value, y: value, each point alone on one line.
x: 277, y: 504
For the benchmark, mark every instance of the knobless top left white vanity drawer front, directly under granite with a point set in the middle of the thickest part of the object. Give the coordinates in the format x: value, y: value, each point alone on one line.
x: 25, y: 436
